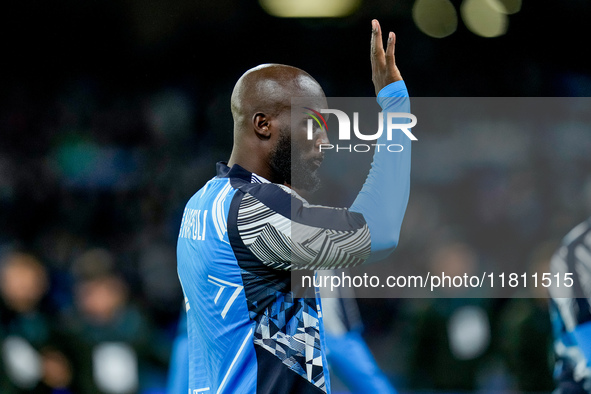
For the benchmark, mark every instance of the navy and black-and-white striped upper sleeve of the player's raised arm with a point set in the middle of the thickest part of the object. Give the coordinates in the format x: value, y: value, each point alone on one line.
x: 284, y: 232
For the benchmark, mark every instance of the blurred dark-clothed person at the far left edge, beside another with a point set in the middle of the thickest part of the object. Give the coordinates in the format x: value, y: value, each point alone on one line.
x: 32, y: 359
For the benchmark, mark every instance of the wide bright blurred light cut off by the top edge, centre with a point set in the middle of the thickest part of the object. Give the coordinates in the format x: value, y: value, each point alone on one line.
x: 310, y: 8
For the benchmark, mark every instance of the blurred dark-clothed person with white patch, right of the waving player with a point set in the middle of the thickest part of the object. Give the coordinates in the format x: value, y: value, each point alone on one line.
x: 451, y: 336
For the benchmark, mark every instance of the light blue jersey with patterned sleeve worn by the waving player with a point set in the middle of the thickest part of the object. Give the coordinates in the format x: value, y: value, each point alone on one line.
x: 239, y: 238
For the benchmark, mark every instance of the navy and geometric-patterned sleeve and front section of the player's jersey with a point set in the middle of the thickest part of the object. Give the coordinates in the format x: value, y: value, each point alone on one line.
x: 270, y: 228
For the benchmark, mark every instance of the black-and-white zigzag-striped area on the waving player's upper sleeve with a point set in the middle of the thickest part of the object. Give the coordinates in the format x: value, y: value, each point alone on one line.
x: 284, y: 244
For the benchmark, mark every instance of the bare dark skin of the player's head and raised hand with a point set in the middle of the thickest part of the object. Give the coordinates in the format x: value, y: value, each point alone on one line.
x: 261, y: 108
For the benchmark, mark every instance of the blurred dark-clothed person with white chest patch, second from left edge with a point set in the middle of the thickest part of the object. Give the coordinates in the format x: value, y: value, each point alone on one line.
x: 119, y: 350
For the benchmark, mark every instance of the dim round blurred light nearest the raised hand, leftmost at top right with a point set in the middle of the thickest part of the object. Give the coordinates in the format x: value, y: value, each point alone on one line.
x: 435, y: 18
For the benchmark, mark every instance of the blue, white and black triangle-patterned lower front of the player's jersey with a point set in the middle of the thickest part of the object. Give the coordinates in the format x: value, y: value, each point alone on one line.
x: 289, y: 329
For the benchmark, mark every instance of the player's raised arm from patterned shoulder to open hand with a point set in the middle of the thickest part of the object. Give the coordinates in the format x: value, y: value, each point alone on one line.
x: 285, y: 232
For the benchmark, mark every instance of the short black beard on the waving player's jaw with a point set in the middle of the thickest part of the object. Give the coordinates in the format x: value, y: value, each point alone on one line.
x: 293, y: 169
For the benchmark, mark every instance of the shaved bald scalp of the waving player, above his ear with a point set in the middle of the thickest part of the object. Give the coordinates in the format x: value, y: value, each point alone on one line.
x: 268, y: 89
